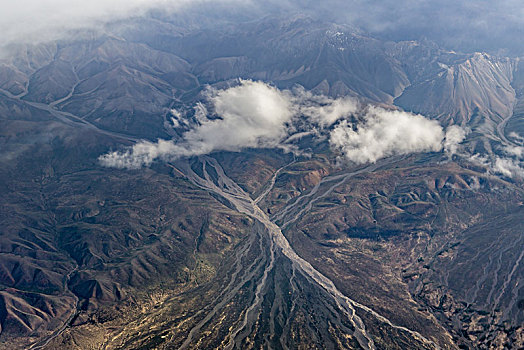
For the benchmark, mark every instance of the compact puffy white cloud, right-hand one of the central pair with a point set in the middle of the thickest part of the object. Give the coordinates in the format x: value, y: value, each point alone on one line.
x: 385, y: 133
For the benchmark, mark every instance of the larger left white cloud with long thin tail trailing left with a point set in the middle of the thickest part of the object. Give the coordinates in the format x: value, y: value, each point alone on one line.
x: 252, y: 114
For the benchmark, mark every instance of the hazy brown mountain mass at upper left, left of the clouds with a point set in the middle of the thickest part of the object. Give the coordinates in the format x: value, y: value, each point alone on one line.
x: 114, y: 84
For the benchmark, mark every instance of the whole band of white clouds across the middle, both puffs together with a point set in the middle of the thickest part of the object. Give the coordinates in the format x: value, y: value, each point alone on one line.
x: 255, y: 114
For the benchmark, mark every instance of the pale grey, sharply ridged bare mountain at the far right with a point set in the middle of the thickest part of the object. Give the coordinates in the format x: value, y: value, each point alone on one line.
x: 471, y: 92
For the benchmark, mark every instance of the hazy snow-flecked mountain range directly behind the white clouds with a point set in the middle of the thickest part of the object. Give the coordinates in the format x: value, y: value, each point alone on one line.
x: 336, y: 59
